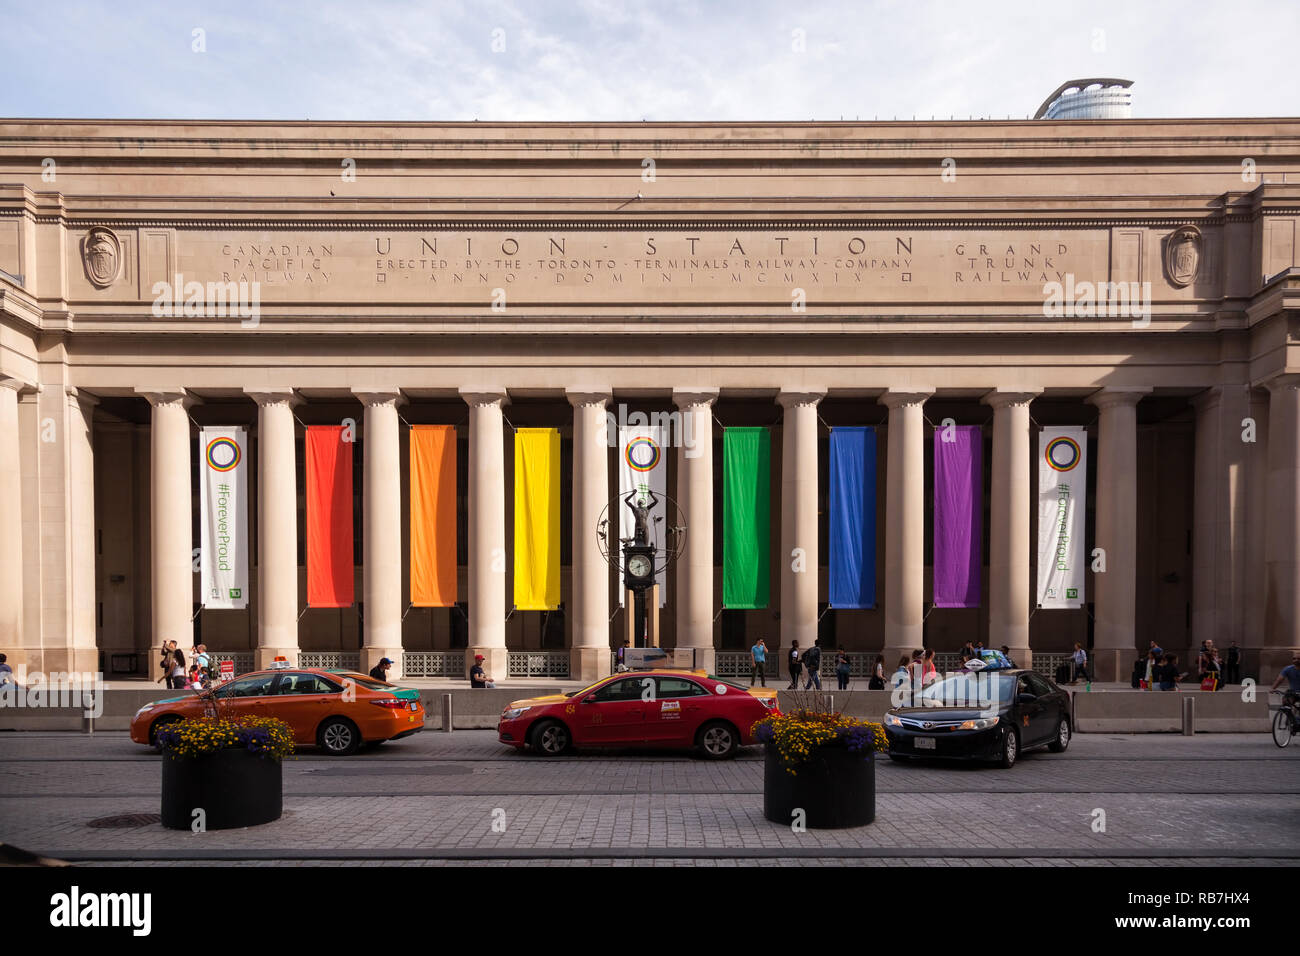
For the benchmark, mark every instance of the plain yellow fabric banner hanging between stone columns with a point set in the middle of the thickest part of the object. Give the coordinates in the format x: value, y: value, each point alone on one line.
x: 538, y: 520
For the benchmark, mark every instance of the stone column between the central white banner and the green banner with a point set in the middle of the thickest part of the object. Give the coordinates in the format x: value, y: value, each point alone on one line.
x: 696, y: 568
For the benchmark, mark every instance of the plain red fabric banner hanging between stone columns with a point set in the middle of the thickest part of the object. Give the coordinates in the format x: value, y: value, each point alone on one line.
x: 330, y: 518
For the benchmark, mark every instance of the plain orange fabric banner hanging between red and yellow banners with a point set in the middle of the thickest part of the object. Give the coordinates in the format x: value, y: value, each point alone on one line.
x: 434, y: 516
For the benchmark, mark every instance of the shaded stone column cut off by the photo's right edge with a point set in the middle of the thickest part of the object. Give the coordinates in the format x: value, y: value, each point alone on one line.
x: 1282, y: 542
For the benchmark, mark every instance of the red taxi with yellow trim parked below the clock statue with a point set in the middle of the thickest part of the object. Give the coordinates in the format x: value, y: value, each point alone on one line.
x: 657, y: 708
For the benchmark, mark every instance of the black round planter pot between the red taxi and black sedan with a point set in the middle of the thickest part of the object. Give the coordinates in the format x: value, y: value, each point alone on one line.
x: 835, y: 790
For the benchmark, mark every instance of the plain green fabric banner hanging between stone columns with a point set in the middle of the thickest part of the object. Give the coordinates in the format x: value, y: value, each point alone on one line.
x: 747, y: 517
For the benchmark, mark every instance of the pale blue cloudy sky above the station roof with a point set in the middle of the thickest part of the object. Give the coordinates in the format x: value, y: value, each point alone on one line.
x: 631, y: 60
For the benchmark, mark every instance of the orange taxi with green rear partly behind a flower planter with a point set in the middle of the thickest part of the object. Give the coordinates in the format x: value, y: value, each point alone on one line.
x: 336, y: 711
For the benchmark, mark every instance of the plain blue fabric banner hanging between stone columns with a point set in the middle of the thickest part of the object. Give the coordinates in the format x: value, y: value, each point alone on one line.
x: 853, y: 518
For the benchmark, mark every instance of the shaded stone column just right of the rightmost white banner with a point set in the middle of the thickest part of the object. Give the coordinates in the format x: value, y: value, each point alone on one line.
x: 1116, y: 602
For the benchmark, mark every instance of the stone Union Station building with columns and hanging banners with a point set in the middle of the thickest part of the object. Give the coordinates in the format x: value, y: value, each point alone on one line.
x: 341, y: 392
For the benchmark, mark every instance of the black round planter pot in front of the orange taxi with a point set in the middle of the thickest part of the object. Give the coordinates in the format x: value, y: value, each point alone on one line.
x: 235, y: 789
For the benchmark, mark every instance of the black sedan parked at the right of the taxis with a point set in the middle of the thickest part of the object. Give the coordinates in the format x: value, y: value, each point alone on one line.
x: 990, y: 716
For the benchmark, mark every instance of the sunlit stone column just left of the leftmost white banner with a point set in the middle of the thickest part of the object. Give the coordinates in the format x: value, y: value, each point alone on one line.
x: 171, y: 518
